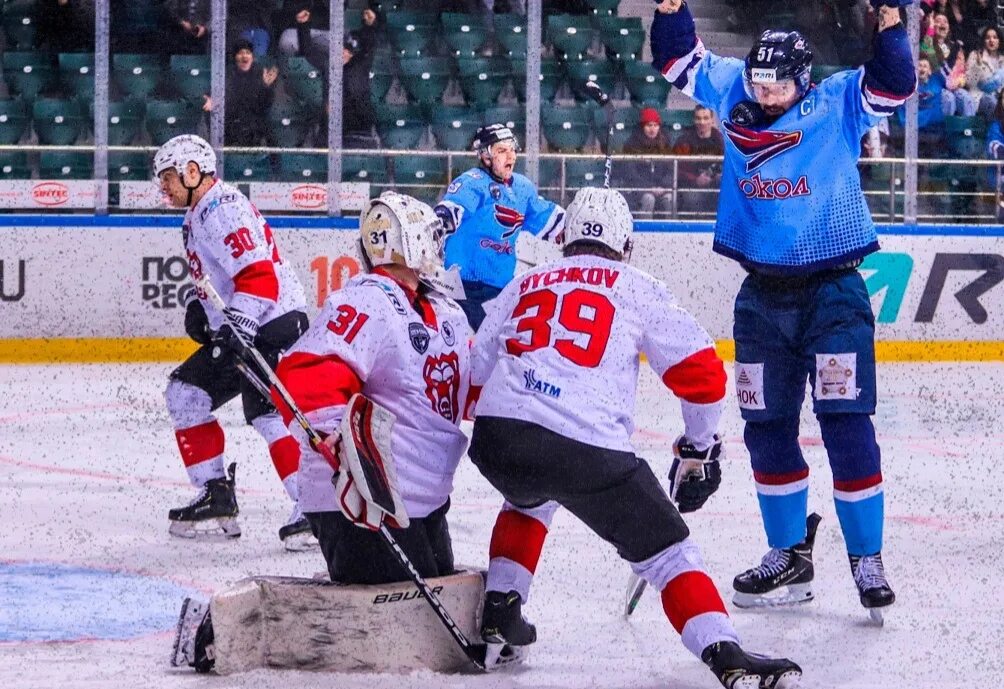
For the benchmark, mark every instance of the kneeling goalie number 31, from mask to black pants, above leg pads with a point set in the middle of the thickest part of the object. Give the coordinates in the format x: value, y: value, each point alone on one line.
x: 396, y: 336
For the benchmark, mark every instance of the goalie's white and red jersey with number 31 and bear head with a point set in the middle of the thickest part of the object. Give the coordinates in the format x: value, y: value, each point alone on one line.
x: 371, y: 338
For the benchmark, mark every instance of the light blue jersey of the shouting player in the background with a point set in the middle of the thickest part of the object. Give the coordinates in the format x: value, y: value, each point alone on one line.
x: 488, y: 216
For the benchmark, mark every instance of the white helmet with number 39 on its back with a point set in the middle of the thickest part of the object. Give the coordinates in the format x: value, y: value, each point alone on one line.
x: 601, y: 216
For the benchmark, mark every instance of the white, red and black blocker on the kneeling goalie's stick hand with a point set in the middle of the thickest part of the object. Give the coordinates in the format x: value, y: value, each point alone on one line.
x: 367, y: 484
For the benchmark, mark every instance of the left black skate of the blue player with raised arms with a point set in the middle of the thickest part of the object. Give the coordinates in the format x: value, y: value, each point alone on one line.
x: 784, y: 578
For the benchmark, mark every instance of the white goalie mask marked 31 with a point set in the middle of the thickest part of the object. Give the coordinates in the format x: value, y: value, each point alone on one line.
x: 401, y: 229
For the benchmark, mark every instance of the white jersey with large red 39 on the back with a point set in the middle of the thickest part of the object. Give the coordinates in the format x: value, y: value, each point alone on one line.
x: 561, y: 345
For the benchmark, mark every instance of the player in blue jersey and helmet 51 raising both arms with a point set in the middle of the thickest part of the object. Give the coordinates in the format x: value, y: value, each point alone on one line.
x: 792, y: 211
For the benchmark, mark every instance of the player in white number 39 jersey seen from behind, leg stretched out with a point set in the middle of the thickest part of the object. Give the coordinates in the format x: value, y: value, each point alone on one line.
x: 558, y: 358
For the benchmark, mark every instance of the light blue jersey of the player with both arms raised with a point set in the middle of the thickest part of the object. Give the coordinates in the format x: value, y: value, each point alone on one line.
x: 792, y: 200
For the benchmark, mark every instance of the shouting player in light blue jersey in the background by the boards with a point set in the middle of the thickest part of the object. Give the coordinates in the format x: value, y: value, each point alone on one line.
x: 484, y: 210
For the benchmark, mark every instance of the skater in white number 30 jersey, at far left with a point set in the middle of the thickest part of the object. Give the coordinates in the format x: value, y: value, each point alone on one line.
x: 228, y: 243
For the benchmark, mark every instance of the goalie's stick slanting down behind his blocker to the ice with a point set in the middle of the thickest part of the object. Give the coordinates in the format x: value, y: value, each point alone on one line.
x: 477, y: 653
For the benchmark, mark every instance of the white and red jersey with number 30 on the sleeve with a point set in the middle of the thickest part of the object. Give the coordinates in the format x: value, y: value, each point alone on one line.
x: 227, y: 241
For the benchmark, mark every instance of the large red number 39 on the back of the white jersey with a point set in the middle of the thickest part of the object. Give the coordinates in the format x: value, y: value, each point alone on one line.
x: 581, y: 312
